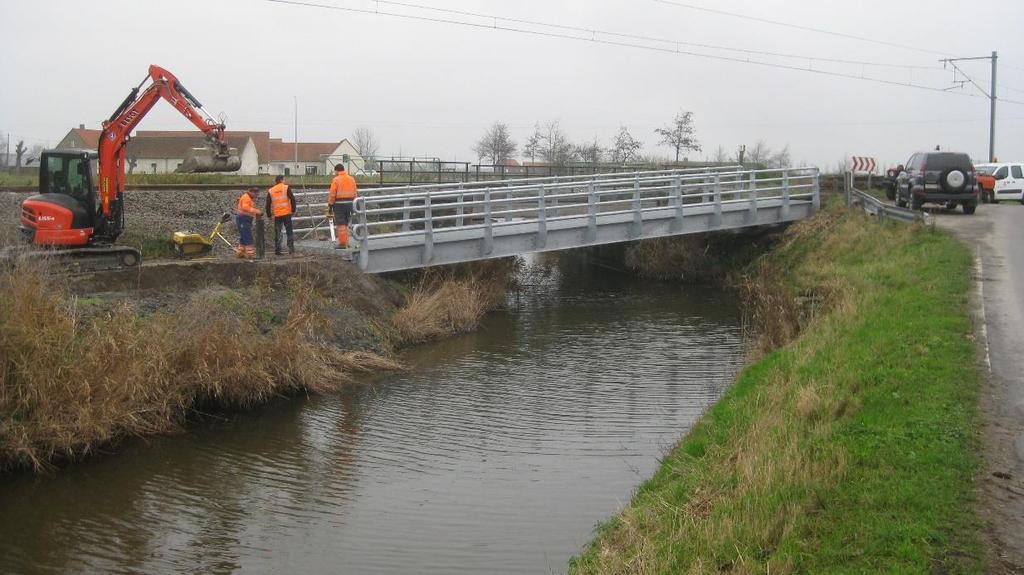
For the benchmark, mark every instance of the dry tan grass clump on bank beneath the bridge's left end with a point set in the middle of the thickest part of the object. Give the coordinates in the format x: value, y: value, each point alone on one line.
x: 453, y: 300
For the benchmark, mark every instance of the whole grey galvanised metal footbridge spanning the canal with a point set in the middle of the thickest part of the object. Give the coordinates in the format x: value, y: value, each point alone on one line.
x: 409, y: 228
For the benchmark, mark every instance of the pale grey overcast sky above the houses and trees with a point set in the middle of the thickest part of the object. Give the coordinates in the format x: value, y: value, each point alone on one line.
x: 429, y: 89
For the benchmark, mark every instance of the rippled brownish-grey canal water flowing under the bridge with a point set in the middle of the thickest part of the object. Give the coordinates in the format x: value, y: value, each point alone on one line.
x: 498, y: 453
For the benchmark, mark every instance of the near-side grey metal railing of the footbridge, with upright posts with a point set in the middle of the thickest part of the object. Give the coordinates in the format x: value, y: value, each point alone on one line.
x: 430, y: 210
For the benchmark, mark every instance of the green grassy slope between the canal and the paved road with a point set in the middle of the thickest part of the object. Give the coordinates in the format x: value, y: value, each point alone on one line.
x: 851, y: 450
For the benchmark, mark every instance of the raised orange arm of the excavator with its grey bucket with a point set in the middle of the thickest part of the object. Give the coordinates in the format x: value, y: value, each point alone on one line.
x: 114, y: 140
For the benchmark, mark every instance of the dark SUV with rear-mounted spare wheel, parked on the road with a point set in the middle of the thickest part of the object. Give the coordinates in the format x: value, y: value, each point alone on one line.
x: 938, y: 178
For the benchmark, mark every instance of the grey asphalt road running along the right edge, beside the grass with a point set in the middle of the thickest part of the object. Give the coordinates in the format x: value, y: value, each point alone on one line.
x: 996, y: 234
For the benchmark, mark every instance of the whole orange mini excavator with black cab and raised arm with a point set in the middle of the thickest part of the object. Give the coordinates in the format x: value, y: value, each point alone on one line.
x: 79, y: 211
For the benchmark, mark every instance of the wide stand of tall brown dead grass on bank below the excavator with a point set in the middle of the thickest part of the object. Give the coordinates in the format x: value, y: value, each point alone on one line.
x: 70, y: 383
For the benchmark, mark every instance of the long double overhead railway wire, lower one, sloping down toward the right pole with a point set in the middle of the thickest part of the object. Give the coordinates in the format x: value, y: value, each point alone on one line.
x: 498, y: 23
